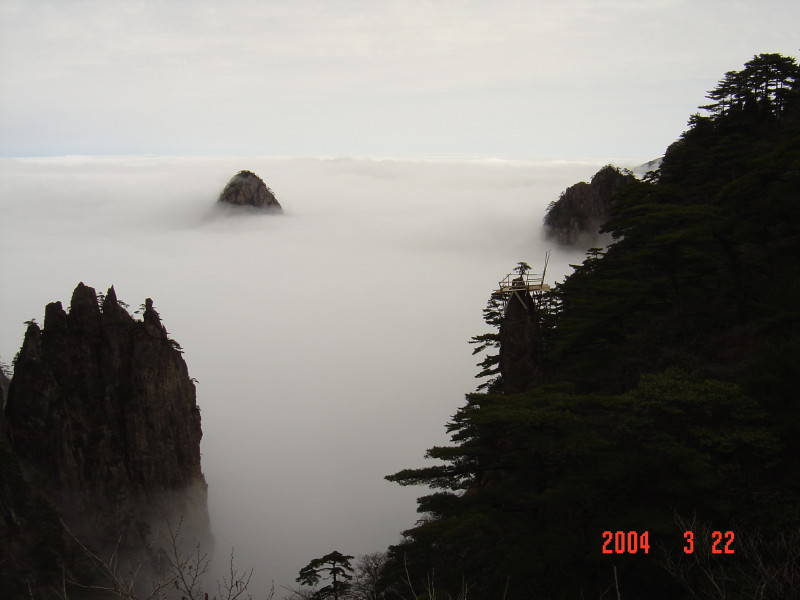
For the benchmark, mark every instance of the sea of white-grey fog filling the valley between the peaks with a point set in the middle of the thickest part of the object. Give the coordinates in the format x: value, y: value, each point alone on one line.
x: 329, y: 342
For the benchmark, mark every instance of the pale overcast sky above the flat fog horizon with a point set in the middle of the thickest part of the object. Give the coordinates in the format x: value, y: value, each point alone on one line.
x: 538, y: 79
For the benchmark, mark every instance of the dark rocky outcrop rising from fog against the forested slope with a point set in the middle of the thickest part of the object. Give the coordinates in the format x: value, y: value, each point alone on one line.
x: 583, y: 208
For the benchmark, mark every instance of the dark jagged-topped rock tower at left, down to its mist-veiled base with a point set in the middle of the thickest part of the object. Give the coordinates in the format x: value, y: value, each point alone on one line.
x: 110, y: 390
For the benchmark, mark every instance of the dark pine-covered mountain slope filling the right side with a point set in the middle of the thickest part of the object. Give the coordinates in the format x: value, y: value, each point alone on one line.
x: 664, y: 397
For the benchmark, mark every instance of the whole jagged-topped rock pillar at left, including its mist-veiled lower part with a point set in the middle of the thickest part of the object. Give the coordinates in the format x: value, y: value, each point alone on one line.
x: 102, y: 422
